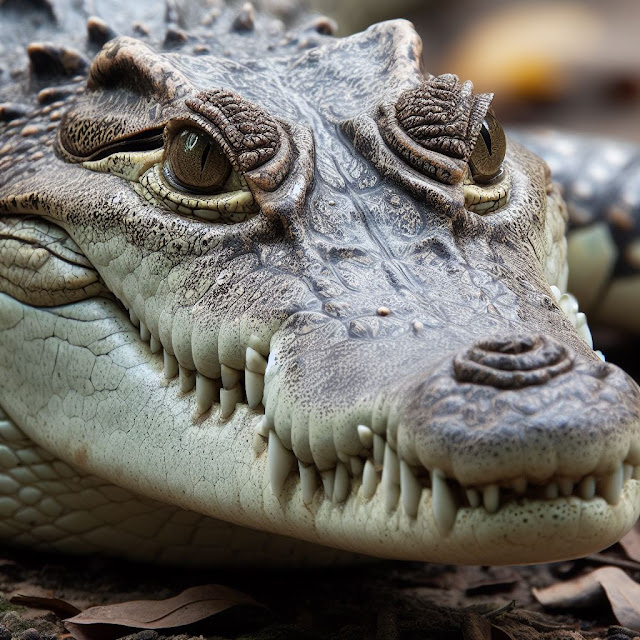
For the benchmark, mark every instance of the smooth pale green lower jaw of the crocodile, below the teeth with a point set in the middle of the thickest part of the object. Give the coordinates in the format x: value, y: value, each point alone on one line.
x: 159, y: 446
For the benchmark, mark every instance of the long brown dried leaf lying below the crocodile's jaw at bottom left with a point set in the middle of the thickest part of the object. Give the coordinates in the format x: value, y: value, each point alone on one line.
x: 190, y: 606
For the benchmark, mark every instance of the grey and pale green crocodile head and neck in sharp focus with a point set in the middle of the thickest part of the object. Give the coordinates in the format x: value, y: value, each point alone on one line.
x: 280, y: 297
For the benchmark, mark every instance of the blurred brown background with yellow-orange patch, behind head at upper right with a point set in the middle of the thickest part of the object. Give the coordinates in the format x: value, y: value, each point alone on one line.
x: 571, y: 64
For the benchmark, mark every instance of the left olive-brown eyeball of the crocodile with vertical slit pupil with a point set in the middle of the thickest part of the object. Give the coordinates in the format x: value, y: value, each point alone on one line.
x: 195, y: 162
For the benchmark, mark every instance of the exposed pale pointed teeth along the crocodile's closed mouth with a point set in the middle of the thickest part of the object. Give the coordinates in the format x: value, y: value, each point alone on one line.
x: 377, y: 471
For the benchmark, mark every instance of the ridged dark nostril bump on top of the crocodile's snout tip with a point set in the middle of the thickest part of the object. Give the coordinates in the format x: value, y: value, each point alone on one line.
x: 512, y: 363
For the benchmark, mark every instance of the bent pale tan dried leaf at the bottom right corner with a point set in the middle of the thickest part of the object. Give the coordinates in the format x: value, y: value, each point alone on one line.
x: 622, y: 592
